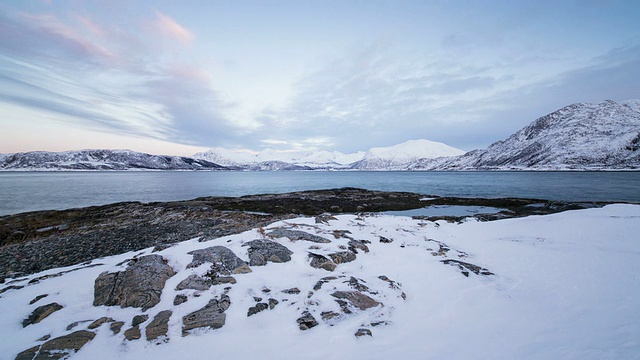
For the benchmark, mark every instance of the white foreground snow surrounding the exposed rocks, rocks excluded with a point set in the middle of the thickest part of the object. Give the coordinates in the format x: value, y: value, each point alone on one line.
x: 565, y: 286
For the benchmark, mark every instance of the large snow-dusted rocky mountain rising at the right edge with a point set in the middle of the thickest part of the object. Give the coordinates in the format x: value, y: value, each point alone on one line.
x: 602, y: 136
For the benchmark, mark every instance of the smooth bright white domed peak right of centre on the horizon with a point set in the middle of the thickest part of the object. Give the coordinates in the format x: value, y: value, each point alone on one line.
x: 400, y: 156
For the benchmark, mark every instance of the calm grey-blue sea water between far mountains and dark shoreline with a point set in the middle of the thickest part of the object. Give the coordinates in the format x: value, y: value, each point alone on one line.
x: 27, y: 191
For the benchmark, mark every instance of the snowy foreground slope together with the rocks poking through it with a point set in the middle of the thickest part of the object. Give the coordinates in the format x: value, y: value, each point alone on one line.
x: 350, y: 286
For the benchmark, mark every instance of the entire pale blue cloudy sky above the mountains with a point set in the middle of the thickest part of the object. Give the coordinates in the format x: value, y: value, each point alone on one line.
x: 177, y: 77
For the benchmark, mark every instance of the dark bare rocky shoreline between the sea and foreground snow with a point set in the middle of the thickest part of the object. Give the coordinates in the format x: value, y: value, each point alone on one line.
x: 36, y: 241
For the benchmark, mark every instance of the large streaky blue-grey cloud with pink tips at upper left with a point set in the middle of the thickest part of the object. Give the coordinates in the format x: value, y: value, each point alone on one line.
x: 104, y: 79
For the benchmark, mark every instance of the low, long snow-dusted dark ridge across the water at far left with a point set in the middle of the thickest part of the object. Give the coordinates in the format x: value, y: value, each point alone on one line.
x: 101, y: 160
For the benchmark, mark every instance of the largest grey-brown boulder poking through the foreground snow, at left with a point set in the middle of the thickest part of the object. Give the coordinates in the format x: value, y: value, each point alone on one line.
x: 140, y: 285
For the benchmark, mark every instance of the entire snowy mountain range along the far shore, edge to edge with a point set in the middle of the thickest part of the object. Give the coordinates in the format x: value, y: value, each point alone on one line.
x: 602, y: 136
